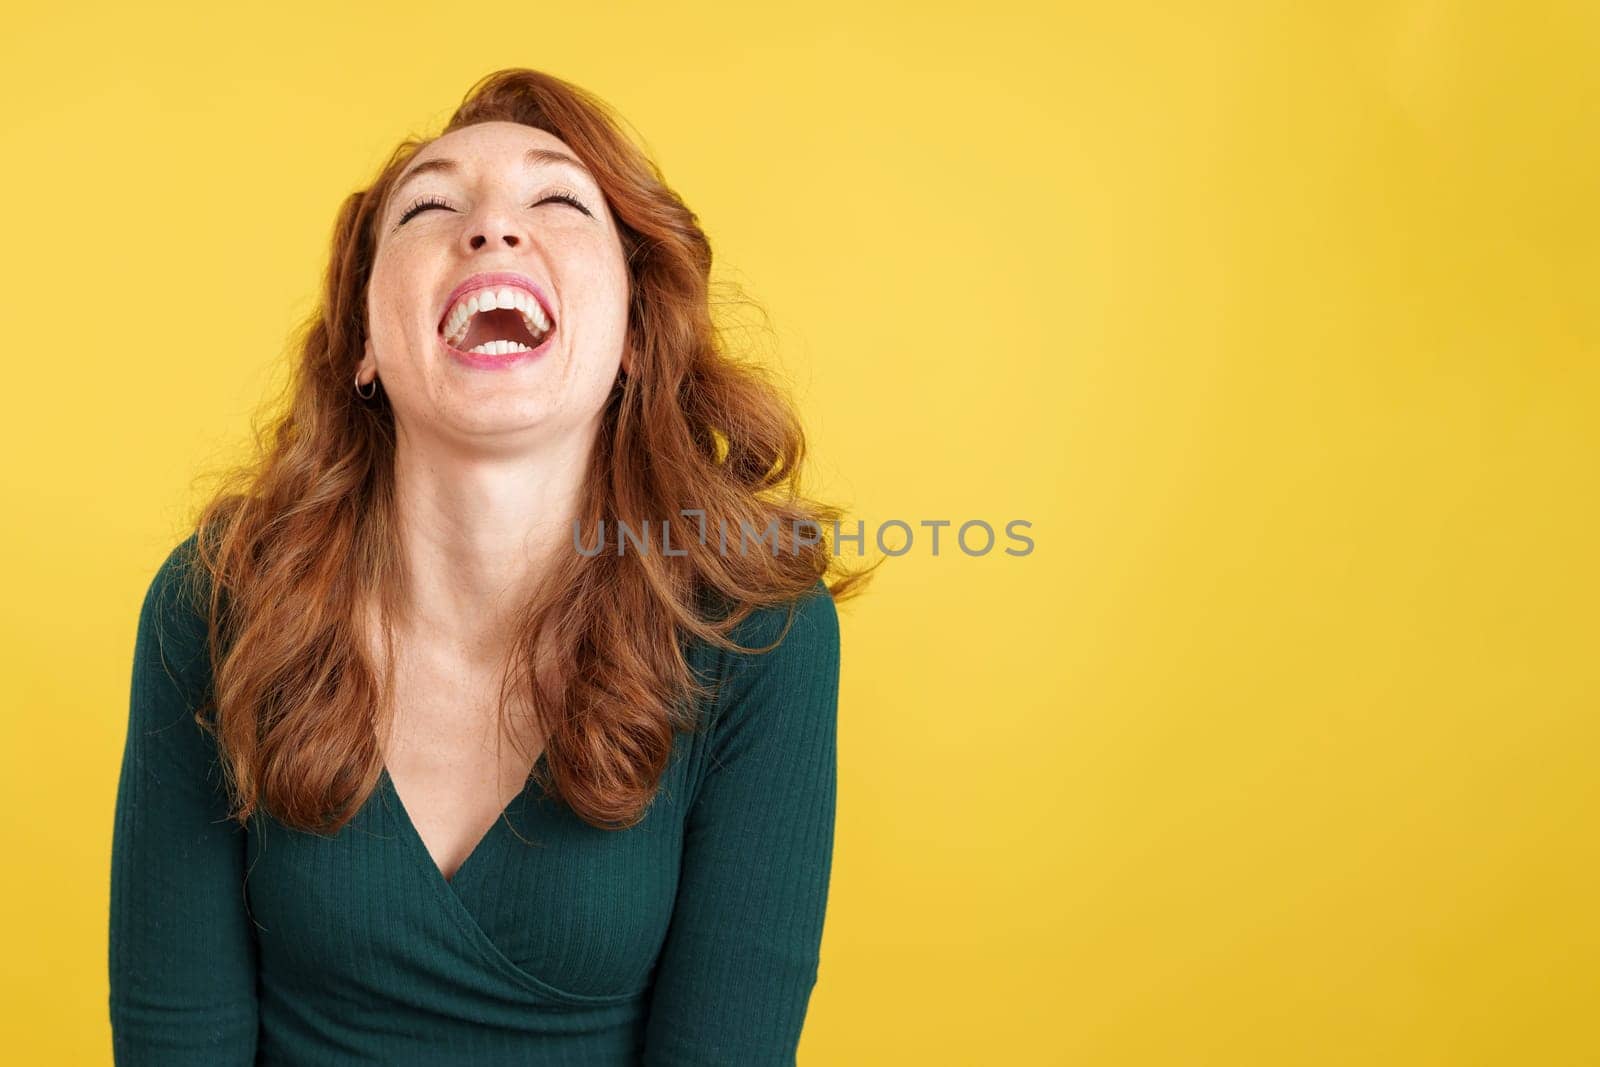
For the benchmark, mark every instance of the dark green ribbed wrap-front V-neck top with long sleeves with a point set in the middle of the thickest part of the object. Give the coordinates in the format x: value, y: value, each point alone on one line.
x: 690, y: 938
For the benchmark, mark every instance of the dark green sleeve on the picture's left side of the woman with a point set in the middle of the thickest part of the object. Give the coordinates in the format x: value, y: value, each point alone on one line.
x: 183, y: 954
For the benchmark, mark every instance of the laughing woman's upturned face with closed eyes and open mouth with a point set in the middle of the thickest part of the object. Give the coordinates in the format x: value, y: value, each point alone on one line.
x: 495, y: 212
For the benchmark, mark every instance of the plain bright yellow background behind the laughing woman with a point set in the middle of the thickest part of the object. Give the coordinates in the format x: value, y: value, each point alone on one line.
x: 1276, y: 321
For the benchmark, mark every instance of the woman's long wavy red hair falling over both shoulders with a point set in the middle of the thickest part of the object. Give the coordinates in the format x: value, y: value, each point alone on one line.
x: 298, y: 540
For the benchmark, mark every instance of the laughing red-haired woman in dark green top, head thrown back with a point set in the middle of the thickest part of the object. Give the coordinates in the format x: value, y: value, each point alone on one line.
x: 431, y: 757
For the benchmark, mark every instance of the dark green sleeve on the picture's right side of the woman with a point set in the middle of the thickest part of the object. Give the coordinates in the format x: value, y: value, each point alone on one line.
x: 743, y: 948
